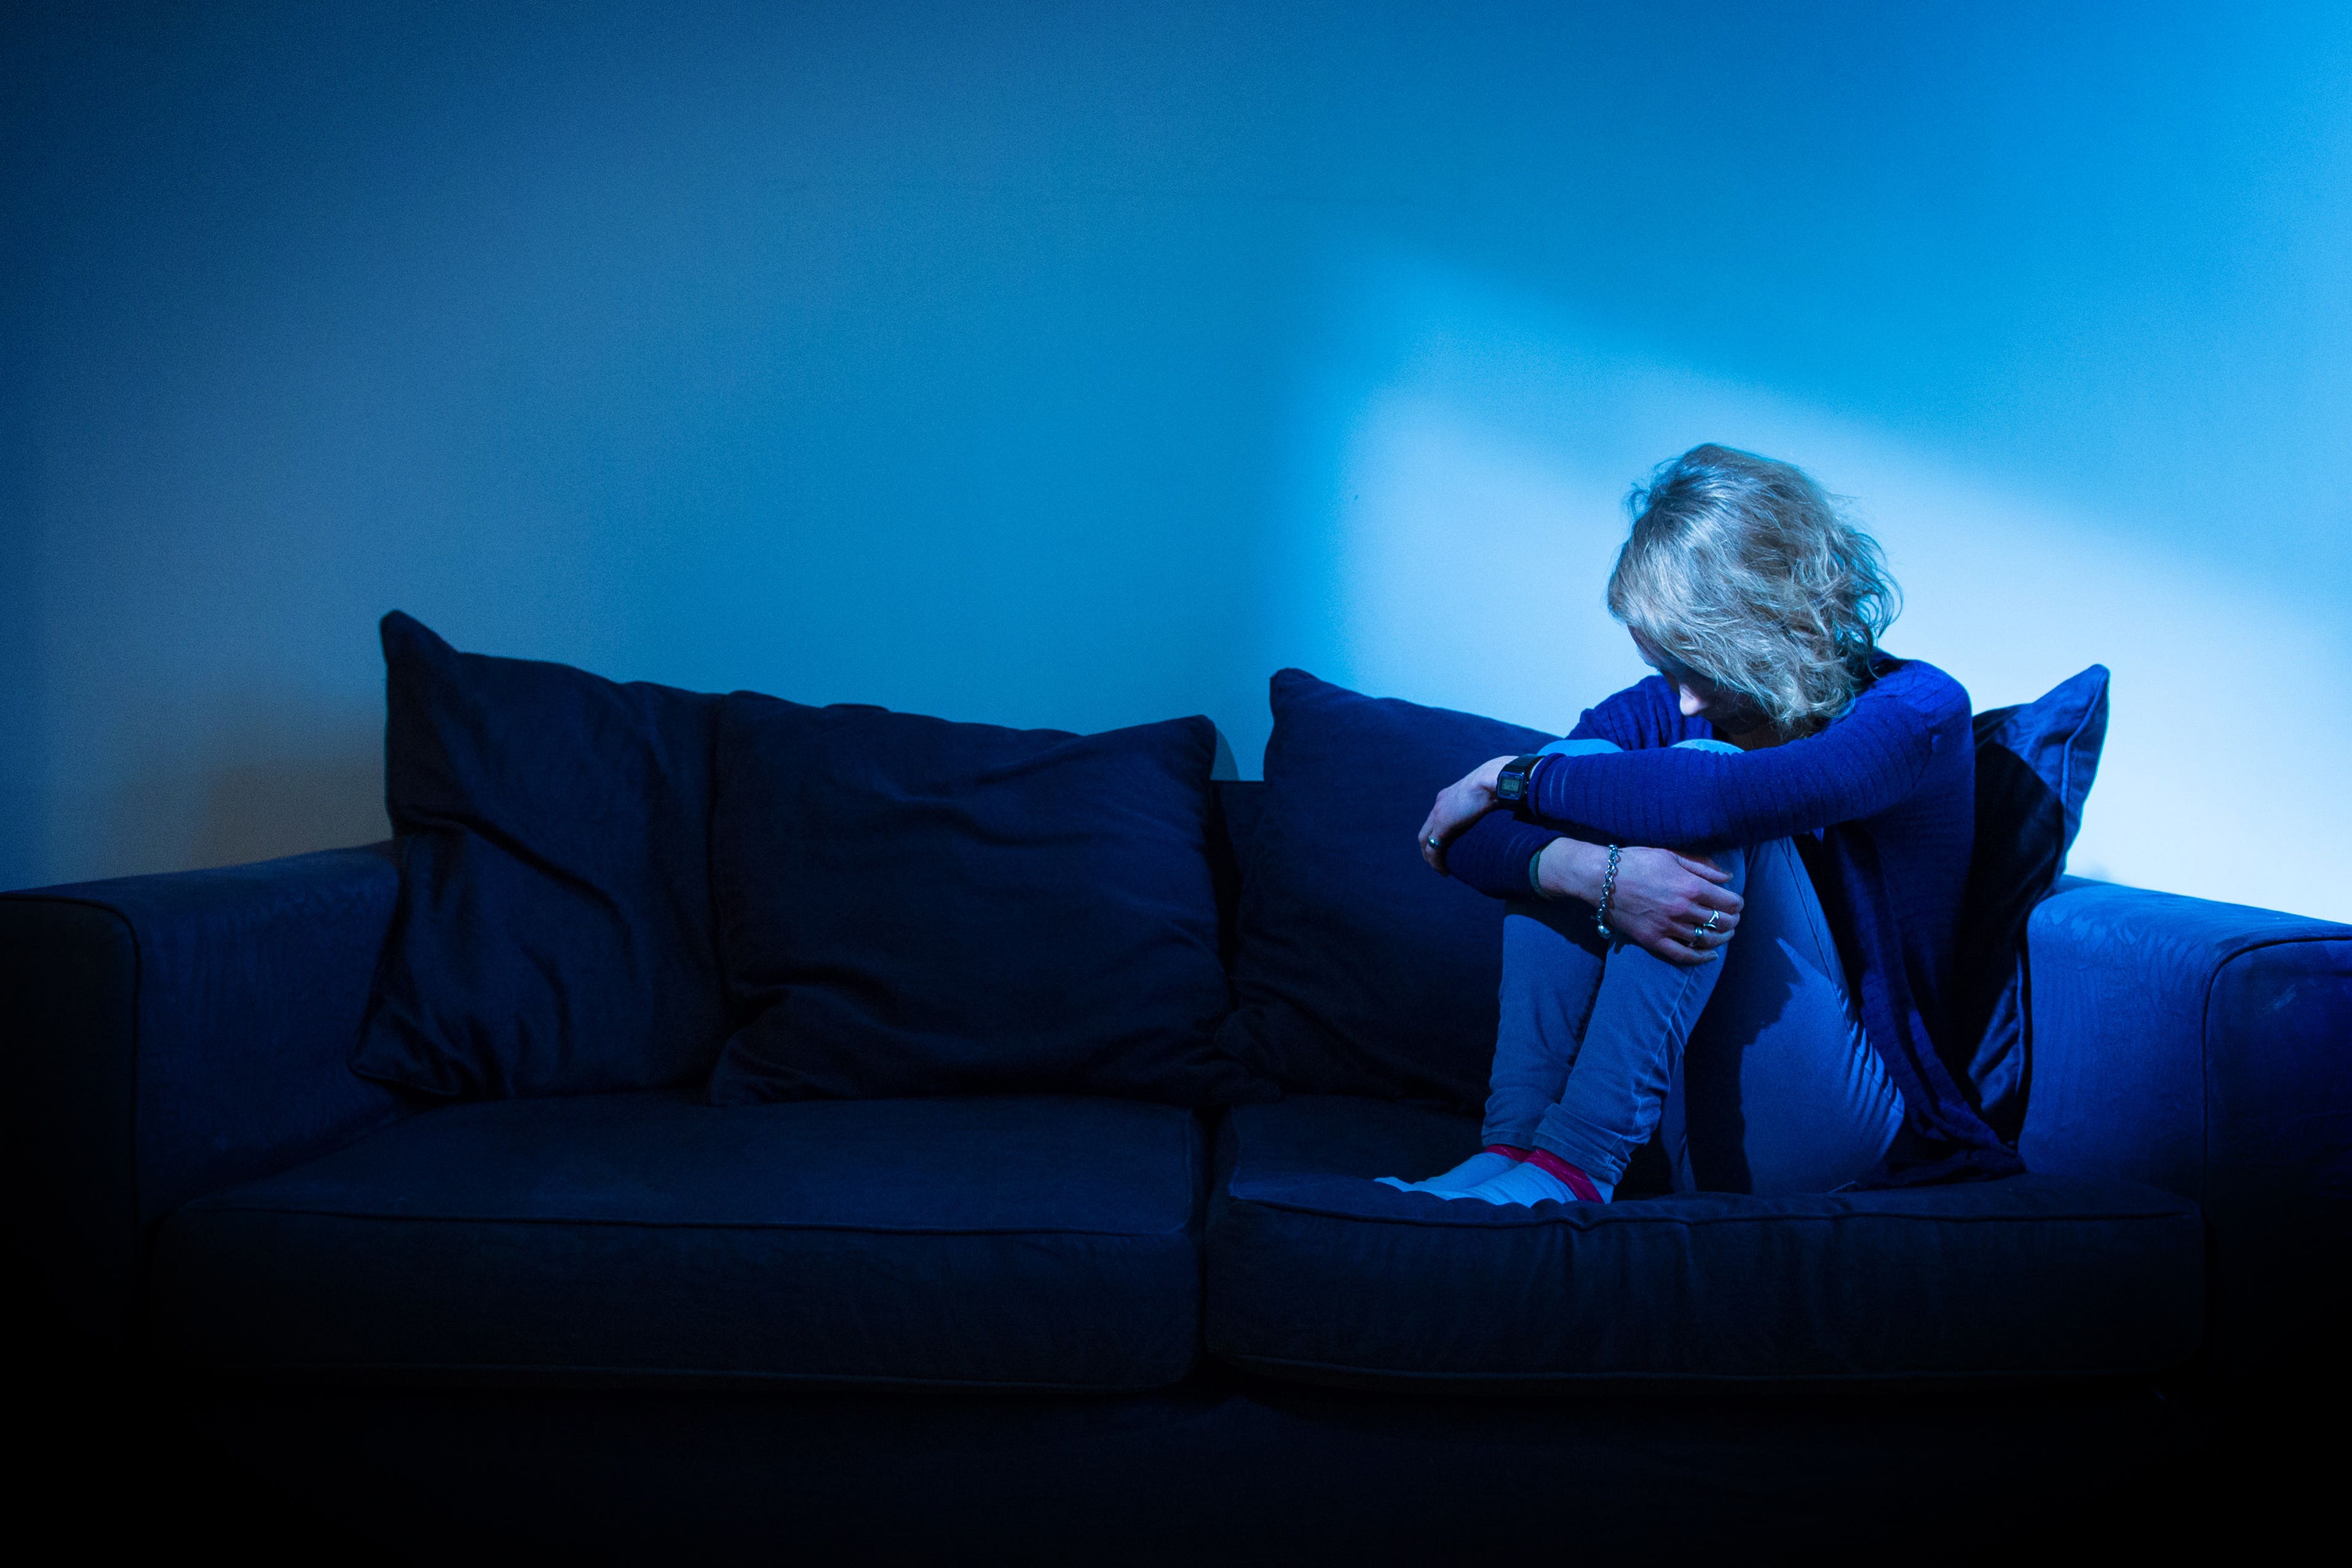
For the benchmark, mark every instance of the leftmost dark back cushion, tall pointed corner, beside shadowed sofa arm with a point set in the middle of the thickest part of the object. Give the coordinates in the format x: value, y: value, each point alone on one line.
x: 554, y: 925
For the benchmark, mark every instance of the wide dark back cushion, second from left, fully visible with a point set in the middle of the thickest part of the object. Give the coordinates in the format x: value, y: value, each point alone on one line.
x: 926, y: 909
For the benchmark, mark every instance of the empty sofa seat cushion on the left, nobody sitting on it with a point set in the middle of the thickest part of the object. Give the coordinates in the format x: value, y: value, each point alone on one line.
x: 991, y: 1242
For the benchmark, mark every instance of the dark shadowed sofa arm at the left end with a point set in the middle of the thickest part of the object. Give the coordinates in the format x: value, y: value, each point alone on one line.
x: 175, y: 1036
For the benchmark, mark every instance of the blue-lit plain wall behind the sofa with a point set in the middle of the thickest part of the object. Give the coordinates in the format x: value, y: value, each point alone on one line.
x: 1081, y: 366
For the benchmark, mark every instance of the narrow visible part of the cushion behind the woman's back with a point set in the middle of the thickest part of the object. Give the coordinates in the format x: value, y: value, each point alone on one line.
x: 2033, y: 770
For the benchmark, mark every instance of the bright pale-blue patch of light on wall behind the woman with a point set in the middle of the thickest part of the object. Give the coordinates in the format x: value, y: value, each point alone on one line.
x: 1474, y: 502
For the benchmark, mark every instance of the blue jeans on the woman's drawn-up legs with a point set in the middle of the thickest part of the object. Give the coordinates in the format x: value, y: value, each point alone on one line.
x: 1753, y: 1071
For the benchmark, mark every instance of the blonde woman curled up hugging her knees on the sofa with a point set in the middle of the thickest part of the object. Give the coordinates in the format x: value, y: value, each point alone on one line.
x: 1732, y: 892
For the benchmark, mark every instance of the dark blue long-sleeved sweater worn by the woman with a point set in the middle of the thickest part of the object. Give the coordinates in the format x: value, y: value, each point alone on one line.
x: 1883, y: 808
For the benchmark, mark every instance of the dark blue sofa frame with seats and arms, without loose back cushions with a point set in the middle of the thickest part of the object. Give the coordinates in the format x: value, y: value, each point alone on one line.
x: 1053, y: 1327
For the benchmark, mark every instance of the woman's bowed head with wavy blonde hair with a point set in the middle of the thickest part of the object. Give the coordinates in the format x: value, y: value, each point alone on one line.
x: 1742, y: 575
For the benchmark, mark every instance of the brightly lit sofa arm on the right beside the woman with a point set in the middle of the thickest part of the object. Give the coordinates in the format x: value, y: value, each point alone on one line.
x: 2207, y: 1050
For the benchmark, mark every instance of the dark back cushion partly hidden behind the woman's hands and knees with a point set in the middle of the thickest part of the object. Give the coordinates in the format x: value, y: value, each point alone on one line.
x: 1356, y: 970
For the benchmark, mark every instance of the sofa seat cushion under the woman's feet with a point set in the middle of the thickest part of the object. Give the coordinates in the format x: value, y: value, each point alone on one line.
x: 1321, y: 1273
